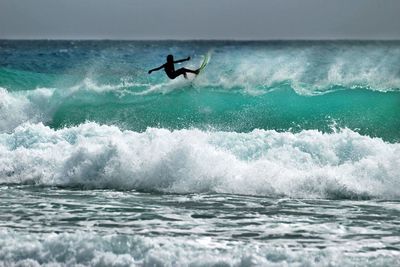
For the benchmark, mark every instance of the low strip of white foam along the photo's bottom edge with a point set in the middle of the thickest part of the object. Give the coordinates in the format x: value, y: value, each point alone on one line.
x: 93, y: 249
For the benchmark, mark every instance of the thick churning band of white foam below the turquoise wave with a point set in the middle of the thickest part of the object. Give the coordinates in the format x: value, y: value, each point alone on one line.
x: 308, y: 164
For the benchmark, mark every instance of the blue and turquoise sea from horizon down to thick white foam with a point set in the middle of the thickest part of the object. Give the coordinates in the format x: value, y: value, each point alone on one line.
x: 284, y: 86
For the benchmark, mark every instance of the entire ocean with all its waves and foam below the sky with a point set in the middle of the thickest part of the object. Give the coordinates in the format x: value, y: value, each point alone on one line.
x: 278, y: 154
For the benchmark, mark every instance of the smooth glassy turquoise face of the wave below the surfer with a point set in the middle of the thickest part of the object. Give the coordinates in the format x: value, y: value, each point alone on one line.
x: 370, y: 113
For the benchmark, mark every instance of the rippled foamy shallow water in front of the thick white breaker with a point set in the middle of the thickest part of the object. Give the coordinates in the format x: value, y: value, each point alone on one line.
x: 104, y: 227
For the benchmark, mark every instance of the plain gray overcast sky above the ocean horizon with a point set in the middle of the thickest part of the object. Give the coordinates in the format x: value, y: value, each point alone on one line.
x: 200, y: 19
